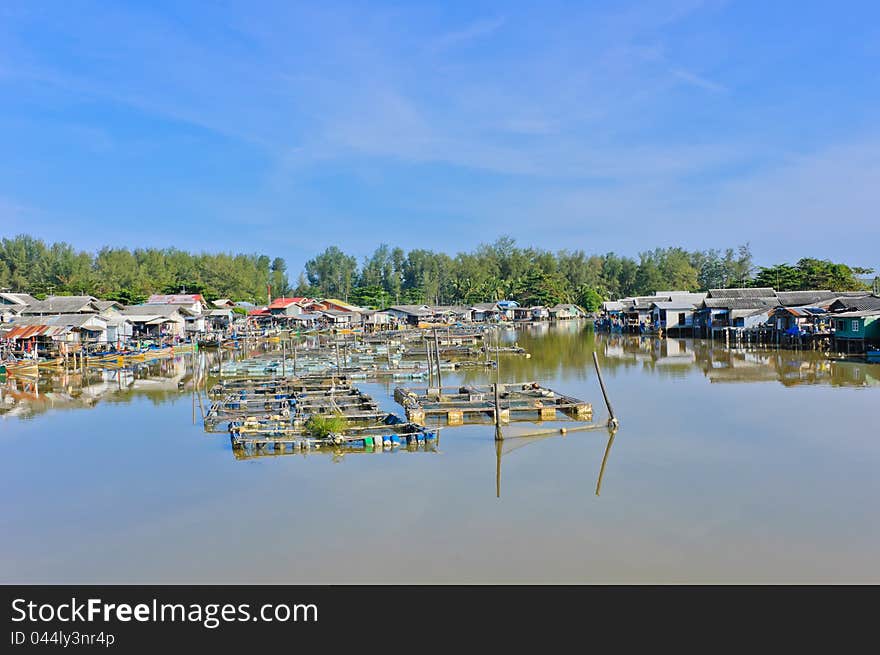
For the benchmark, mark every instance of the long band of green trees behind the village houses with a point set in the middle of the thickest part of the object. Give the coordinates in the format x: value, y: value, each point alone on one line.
x: 390, y: 275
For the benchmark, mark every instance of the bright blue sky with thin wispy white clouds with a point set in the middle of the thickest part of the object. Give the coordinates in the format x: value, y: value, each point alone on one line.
x: 282, y: 127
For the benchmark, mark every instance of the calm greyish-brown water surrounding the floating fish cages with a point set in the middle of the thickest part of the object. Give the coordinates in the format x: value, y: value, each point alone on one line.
x: 728, y: 467
